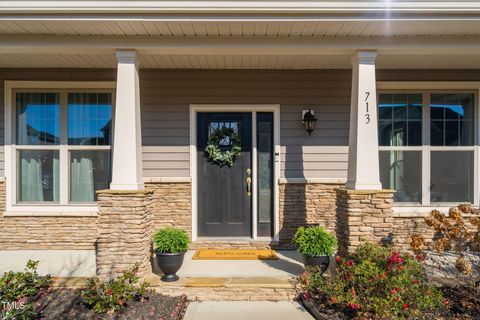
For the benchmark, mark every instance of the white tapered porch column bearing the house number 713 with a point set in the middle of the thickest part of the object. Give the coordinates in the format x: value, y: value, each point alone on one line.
x: 363, y: 164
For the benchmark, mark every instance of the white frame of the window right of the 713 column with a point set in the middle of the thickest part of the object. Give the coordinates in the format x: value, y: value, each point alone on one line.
x: 426, y: 88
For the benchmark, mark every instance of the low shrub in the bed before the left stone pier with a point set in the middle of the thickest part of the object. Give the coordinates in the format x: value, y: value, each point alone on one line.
x: 114, y: 294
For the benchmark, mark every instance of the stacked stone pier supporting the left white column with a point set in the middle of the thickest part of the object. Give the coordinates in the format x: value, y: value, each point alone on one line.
x: 125, y: 225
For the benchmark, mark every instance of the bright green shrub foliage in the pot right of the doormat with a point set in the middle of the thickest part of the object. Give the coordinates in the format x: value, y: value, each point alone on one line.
x: 315, y: 241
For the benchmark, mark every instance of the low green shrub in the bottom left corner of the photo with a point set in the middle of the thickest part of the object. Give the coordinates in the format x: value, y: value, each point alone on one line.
x: 19, y: 289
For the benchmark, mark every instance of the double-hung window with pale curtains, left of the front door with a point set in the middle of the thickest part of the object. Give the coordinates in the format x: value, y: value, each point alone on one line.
x: 61, y: 145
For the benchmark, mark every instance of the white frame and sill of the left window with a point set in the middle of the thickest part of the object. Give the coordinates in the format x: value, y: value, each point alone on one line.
x: 63, y: 207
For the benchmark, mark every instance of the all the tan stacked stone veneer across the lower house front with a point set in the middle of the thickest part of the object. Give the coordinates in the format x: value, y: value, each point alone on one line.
x: 121, y: 233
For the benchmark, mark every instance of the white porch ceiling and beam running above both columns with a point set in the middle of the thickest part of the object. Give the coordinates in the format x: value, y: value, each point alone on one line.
x: 56, y: 41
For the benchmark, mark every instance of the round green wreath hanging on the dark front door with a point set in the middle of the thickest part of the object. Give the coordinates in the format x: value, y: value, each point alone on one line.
x: 216, y: 155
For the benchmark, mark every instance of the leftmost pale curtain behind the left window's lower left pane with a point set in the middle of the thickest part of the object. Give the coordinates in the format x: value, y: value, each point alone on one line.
x: 31, y: 188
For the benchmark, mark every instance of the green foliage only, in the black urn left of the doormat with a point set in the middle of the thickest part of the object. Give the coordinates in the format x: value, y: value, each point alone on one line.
x: 171, y: 240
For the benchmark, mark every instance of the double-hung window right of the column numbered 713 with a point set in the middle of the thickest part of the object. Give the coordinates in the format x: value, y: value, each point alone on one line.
x: 427, y: 146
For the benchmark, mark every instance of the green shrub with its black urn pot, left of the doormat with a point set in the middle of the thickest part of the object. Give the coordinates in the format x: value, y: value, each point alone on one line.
x: 170, y: 245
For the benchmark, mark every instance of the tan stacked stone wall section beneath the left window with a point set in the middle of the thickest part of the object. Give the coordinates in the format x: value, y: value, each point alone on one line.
x: 37, y: 232
